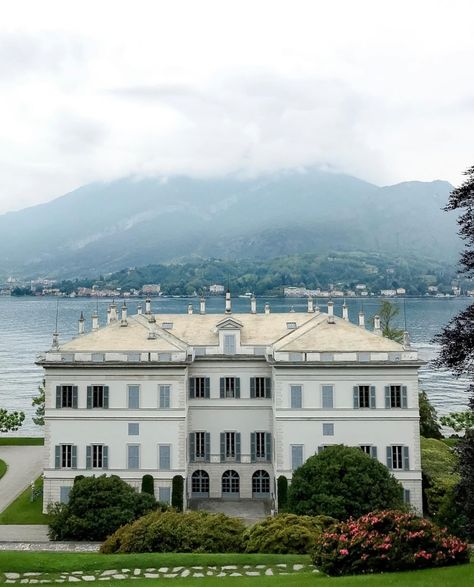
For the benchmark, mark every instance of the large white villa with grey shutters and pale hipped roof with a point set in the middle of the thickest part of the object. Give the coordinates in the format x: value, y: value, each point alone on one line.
x: 230, y: 402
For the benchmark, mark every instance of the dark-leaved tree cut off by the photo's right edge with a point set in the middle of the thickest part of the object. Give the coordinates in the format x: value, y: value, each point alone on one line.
x: 457, y: 347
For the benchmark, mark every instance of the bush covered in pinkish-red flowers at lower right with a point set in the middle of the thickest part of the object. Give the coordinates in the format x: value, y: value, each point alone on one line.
x: 386, y: 541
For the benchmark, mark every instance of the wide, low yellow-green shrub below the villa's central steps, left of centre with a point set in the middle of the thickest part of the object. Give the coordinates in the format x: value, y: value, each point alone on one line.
x: 172, y: 531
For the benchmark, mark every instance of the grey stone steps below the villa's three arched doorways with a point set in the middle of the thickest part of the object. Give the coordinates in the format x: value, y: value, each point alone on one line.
x: 249, y: 511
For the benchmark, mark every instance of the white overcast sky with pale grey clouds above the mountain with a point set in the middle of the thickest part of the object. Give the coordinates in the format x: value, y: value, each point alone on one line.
x: 97, y: 90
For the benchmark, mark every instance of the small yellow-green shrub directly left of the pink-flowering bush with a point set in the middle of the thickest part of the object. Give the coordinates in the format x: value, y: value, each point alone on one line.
x: 286, y: 534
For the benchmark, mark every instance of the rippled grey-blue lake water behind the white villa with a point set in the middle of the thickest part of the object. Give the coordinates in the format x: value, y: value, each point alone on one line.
x: 26, y: 325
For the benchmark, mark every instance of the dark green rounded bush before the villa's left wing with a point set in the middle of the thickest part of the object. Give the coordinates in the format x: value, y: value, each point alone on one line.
x: 97, y: 507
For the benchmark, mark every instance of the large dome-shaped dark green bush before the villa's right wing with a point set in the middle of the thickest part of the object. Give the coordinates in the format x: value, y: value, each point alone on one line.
x: 342, y: 482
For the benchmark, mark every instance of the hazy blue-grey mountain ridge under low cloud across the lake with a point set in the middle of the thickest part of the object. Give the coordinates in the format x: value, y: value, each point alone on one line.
x: 103, y: 227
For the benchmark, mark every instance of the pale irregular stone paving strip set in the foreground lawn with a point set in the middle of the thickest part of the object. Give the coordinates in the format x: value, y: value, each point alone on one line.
x: 156, y: 573
